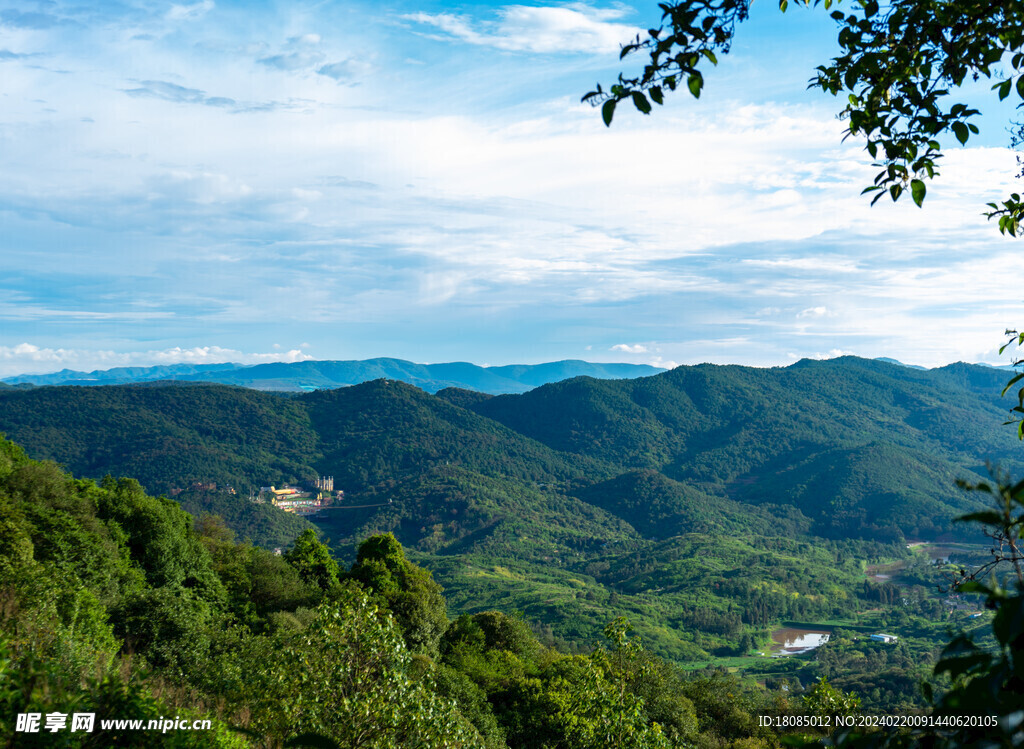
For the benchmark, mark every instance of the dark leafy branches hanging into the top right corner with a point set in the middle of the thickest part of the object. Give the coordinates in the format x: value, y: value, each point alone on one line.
x: 901, y: 63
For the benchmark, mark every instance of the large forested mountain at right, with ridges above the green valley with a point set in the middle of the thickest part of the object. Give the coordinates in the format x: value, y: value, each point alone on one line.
x: 861, y: 446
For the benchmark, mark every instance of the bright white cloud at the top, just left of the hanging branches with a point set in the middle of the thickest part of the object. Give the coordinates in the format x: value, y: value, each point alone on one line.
x: 576, y: 28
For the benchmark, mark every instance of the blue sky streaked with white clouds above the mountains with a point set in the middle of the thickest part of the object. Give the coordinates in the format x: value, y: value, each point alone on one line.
x: 275, y: 182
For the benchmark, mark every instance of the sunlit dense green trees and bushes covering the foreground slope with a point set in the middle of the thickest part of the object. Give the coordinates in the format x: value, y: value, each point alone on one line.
x: 117, y: 604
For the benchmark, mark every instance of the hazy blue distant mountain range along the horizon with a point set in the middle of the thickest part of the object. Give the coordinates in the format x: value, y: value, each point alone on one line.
x: 306, y: 377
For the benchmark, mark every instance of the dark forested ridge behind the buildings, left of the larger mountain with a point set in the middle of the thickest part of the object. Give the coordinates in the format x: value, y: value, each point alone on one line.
x: 174, y: 435
